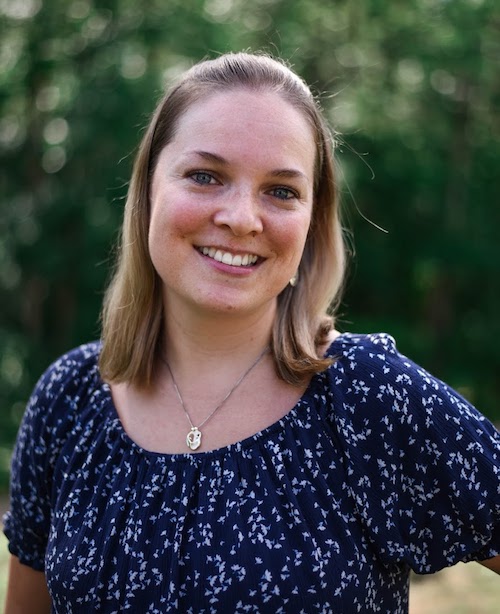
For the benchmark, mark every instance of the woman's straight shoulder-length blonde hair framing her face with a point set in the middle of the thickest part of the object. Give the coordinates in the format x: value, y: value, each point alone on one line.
x: 132, y: 315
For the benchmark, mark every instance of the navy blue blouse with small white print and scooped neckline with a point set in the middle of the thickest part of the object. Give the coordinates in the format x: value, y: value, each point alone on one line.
x: 379, y: 468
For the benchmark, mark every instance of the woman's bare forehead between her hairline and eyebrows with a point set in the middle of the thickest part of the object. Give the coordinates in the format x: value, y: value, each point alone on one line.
x: 244, y: 118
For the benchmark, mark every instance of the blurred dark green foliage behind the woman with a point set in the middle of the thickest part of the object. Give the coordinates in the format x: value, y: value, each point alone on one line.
x: 412, y: 88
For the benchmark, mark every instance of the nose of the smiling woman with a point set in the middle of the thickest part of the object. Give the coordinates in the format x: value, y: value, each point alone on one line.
x: 240, y: 212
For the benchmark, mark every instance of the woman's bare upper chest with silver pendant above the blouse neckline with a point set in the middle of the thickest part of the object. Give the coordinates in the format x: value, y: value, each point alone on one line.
x: 207, y: 418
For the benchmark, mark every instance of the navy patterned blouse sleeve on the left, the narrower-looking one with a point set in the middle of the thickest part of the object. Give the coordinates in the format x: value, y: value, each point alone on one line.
x: 47, y: 418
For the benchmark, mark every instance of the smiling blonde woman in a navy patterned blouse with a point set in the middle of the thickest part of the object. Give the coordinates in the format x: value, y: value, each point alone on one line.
x: 225, y: 449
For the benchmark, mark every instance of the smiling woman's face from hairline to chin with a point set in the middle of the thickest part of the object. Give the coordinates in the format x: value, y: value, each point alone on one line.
x: 231, y: 203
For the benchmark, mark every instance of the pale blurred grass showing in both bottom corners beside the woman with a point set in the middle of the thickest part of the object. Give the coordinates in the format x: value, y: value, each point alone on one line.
x: 463, y: 589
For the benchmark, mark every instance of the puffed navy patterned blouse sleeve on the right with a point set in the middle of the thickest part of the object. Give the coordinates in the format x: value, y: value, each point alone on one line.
x: 423, y: 463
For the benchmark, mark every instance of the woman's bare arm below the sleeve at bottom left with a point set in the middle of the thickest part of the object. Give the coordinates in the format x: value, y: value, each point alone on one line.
x: 26, y: 590
